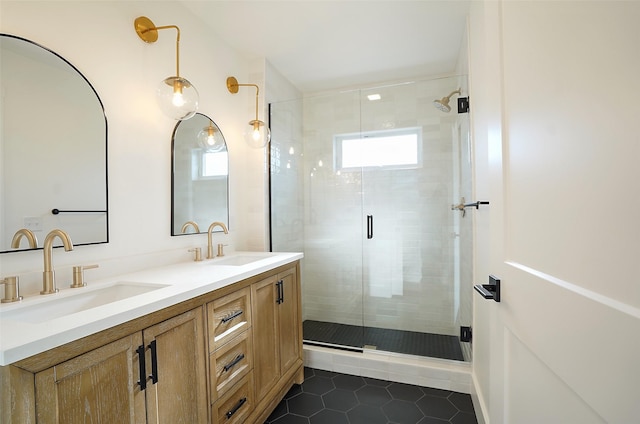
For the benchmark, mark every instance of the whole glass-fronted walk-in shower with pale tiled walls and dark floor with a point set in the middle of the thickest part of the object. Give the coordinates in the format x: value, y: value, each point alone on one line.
x: 363, y: 182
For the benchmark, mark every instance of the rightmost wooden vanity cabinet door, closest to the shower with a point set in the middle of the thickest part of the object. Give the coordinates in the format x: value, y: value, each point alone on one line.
x: 288, y: 319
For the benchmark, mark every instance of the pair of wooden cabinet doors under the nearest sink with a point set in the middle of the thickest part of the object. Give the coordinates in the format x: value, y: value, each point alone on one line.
x: 104, y: 385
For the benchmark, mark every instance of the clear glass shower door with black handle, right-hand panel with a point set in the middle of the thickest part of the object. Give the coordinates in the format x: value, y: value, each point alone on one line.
x: 410, y: 302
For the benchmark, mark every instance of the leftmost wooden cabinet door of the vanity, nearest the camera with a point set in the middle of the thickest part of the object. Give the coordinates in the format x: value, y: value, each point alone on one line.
x: 97, y: 387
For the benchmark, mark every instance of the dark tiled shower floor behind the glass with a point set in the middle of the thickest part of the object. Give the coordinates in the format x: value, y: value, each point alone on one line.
x: 408, y: 342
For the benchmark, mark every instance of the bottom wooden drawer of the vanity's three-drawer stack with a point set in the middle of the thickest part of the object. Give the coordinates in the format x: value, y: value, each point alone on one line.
x: 236, y: 405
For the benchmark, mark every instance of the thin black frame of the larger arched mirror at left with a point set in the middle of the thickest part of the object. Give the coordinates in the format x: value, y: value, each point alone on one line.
x: 106, y: 150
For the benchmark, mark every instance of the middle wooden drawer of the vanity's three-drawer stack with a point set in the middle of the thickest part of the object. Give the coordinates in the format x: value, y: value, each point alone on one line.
x: 230, y: 363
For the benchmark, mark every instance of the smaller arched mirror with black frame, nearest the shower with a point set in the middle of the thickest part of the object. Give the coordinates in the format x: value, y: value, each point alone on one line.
x: 200, y: 176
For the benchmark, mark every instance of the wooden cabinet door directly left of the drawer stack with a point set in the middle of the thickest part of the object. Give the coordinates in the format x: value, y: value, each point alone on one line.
x: 176, y: 355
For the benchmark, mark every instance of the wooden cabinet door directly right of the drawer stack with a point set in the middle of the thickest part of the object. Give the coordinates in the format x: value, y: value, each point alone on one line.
x: 266, y: 361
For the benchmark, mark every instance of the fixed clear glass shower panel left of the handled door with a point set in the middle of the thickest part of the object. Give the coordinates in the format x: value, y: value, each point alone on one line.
x: 317, y: 210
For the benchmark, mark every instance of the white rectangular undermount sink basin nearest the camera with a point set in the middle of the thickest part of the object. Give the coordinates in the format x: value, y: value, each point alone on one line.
x: 77, y: 300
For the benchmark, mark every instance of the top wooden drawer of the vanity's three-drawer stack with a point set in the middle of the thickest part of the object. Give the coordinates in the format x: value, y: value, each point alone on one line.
x: 228, y: 316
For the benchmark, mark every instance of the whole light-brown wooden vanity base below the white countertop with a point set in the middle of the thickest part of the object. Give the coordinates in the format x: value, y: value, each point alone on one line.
x: 228, y: 356
